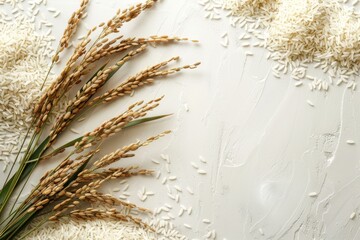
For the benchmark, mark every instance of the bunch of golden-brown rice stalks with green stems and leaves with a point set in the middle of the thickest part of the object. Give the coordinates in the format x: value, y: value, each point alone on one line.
x: 73, y: 188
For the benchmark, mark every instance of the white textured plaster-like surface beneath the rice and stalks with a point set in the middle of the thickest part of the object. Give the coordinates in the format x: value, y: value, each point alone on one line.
x: 266, y: 148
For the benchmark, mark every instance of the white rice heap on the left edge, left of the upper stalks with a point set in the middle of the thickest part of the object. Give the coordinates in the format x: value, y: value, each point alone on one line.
x: 24, y: 60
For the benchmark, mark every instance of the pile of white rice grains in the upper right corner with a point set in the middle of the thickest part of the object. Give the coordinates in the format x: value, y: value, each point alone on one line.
x: 299, y: 32
